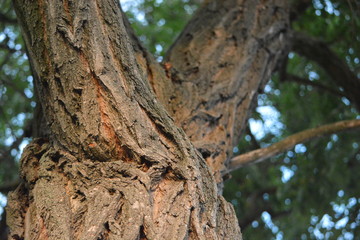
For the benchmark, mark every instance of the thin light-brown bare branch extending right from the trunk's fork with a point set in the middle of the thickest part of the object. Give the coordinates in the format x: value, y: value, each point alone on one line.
x: 289, y: 142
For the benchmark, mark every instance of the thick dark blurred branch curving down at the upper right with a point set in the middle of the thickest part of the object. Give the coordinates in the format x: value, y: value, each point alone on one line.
x: 338, y: 70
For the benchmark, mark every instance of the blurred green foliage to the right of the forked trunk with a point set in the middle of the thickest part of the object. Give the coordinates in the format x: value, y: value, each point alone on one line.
x: 310, y: 191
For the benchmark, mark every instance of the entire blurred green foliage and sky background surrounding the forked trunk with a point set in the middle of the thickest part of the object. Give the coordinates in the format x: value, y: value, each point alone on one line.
x: 309, y: 192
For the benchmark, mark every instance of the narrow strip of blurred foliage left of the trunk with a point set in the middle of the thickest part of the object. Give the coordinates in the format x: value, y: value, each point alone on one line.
x: 16, y: 92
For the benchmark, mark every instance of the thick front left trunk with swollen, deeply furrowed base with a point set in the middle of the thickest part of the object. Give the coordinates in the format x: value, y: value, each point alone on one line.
x: 117, y: 165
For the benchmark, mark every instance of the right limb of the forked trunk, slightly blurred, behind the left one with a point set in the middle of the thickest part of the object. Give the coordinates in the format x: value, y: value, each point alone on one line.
x: 225, y: 54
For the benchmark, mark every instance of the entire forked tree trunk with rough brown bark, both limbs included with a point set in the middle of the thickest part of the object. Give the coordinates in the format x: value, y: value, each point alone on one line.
x: 115, y: 165
